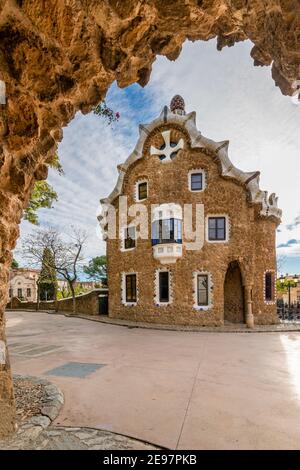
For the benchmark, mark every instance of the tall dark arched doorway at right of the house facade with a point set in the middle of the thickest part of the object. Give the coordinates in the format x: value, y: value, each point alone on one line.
x: 234, y: 294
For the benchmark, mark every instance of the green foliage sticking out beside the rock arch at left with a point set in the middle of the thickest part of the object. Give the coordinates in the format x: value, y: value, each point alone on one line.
x: 43, y: 195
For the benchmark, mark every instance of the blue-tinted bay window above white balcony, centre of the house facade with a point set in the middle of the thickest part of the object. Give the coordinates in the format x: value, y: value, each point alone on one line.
x: 167, y: 231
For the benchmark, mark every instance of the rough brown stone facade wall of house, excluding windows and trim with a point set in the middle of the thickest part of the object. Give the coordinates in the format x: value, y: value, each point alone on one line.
x: 251, y: 241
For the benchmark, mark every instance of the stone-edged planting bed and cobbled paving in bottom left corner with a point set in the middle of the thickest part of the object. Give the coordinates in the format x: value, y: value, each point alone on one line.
x: 36, y: 432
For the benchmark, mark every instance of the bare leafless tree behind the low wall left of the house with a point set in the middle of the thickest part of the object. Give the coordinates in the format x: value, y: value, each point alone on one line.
x: 66, y: 255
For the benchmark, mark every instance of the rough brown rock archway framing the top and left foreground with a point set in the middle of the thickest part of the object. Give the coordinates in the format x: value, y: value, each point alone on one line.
x: 58, y: 57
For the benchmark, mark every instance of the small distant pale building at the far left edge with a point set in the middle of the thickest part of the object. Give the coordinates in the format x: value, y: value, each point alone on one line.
x: 23, y: 284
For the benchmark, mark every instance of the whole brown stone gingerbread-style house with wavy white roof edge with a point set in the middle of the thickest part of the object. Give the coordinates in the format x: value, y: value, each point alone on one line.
x: 224, y: 268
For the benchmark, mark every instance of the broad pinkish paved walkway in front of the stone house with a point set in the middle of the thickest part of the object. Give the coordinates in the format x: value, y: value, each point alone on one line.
x: 174, y: 389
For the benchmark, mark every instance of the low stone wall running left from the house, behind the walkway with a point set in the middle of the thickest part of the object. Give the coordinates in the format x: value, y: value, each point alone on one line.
x: 85, y: 303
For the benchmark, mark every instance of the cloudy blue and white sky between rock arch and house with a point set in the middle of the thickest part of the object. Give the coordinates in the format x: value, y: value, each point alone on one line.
x: 233, y: 100
